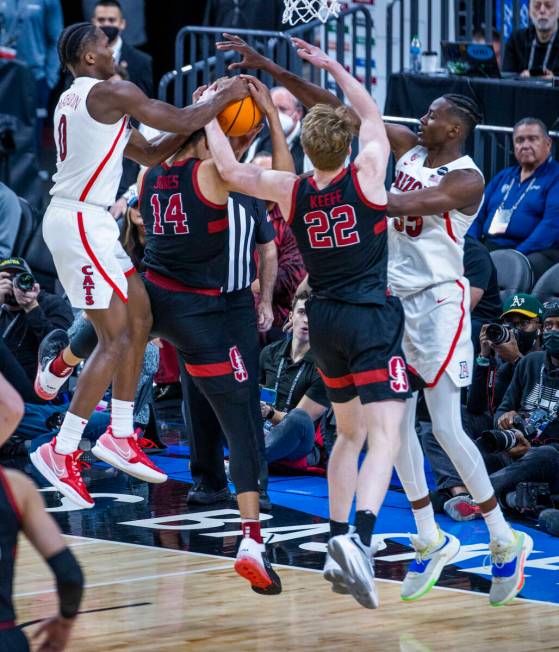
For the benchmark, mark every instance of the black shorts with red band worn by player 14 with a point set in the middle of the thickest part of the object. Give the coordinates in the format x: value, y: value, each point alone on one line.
x: 197, y: 326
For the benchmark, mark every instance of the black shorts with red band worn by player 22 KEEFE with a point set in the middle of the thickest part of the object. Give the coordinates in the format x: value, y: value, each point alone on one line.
x: 358, y: 349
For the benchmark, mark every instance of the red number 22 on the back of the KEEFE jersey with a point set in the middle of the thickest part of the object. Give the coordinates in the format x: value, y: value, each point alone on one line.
x: 334, y: 229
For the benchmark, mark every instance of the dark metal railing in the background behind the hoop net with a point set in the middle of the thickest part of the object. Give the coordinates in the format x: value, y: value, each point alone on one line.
x: 204, y: 64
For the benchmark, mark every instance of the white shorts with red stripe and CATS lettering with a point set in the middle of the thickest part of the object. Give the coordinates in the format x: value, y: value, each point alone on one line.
x: 89, y: 259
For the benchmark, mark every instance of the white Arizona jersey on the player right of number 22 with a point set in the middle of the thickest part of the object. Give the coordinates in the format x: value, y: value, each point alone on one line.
x: 428, y: 249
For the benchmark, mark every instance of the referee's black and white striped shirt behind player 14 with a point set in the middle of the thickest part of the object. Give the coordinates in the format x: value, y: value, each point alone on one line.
x: 249, y: 225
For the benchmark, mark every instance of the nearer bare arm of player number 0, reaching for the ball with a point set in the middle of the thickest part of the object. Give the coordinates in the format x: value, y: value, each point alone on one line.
x: 111, y: 99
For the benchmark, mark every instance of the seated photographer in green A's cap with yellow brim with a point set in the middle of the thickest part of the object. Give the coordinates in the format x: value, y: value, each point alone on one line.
x: 492, y: 375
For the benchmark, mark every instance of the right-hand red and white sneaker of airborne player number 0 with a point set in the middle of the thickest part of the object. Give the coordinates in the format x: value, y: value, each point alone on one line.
x: 126, y: 454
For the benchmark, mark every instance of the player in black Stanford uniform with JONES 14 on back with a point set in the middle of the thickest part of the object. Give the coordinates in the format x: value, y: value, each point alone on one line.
x: 184, y: 207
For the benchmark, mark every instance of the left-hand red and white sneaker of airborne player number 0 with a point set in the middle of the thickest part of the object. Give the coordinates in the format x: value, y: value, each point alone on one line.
x: 63, y: 472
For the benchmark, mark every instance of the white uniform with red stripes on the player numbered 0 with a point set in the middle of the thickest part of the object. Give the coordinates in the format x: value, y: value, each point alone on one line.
x: 78, y: 229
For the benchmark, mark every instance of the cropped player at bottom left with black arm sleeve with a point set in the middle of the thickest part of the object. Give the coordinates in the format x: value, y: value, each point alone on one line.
x: 22, y: 509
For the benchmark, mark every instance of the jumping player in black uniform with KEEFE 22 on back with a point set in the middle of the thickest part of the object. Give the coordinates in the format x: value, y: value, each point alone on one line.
x: 338, y: 216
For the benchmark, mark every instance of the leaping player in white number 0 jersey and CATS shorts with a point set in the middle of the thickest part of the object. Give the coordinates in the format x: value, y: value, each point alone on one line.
x: 93, y: 133
